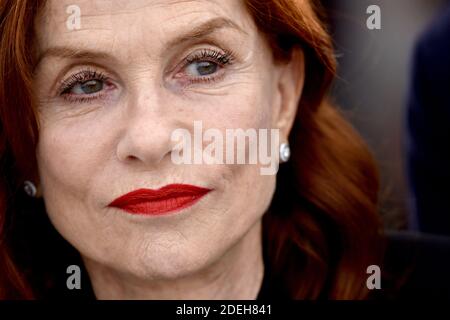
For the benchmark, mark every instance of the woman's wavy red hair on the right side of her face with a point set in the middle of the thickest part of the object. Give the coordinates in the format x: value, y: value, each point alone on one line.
x: 323, y: 228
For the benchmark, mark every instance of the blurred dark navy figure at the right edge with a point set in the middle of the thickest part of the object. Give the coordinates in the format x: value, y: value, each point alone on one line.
x: 428, y: 121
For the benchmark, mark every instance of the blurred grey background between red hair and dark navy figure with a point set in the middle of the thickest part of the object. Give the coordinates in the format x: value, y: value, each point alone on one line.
x: 372, y: 85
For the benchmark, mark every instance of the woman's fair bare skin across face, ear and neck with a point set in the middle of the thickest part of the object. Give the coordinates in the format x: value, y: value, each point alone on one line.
x: 91, y: 152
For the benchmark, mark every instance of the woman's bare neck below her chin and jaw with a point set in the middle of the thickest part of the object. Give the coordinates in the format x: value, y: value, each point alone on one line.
x: 237, y: 275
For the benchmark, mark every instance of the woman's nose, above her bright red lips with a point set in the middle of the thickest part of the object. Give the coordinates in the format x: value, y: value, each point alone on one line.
x: 147, y: 130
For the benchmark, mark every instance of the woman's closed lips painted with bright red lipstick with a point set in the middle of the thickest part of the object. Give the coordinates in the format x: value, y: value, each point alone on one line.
x: 168, y: 199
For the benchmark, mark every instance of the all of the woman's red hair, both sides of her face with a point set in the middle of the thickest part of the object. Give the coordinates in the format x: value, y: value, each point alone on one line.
x: 321, y: 231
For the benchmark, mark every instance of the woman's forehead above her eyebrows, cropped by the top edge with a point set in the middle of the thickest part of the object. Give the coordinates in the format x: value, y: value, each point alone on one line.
x: 110, y: 19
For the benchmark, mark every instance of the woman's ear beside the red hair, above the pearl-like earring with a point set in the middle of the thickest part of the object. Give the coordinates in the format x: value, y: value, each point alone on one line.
x: 291, y: 78
